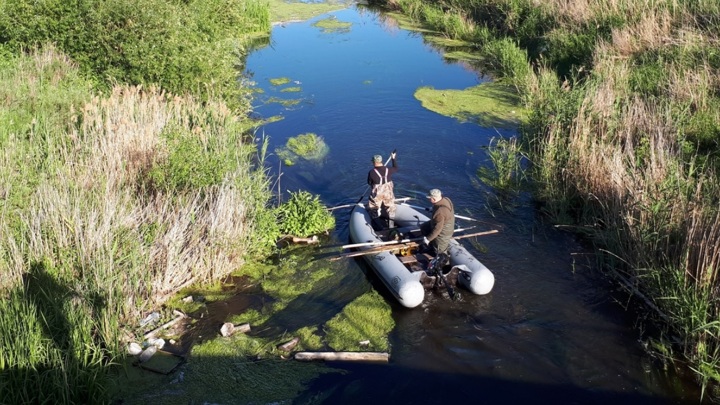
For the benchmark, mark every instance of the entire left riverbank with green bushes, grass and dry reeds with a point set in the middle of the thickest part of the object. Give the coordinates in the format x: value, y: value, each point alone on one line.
x: 129, y: 170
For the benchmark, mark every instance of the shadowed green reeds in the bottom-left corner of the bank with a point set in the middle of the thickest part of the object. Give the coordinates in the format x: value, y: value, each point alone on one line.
x: 64, y: 367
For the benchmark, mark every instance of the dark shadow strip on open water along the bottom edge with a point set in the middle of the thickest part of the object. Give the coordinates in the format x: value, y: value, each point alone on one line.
x: 383, y: 384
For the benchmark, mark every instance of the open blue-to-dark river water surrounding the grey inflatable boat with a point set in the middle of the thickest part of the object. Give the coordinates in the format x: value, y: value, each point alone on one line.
x: 549, y: 332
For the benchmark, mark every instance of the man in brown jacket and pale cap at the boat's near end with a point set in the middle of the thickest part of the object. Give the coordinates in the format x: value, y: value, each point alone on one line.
x: 439, y: 229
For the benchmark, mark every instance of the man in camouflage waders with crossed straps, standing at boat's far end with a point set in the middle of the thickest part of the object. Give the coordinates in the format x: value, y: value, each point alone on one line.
x: 382, y: 197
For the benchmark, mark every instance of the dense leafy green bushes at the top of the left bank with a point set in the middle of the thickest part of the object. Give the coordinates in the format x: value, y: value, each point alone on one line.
x: 180, y: 46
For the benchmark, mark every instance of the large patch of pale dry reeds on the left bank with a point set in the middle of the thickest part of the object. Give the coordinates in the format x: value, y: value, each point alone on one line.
x: 121, y: 135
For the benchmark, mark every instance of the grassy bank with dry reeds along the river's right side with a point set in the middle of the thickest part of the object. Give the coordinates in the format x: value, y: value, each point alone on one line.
x: 623, y: 140
